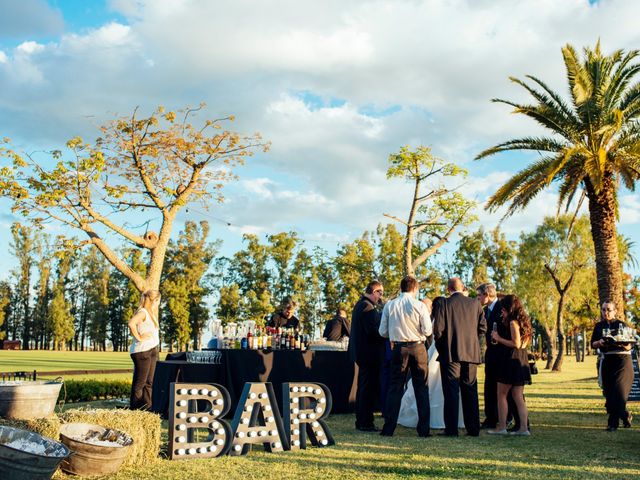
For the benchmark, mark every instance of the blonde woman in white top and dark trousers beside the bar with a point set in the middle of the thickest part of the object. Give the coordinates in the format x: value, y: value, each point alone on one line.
x: 144, y: 349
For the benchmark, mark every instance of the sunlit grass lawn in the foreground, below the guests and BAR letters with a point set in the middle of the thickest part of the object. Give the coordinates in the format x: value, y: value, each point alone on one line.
x: 568, y: 442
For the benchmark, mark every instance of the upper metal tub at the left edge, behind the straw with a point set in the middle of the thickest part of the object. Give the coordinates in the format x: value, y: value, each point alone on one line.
x: 24, y: 400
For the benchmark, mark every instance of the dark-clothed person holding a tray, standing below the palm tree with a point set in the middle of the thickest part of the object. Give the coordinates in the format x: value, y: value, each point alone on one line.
x: 616, y: 368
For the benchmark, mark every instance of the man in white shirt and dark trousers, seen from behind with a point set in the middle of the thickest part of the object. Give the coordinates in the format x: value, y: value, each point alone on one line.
x: 407, y: 324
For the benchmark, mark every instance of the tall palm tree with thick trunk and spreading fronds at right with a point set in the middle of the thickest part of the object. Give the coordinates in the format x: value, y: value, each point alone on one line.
x: 594, y: 145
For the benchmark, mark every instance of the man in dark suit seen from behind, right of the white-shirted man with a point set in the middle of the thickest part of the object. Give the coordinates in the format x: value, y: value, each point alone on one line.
x: 458, y: 322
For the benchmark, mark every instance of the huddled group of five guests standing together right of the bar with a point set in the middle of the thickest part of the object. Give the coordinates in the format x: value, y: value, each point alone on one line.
x: 455, y: 323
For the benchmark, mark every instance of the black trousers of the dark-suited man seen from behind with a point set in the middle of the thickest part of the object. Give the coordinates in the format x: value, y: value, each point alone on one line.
x: 459, y: 381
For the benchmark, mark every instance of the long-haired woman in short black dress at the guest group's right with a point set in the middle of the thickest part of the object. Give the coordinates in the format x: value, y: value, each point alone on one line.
x: 514, y: 372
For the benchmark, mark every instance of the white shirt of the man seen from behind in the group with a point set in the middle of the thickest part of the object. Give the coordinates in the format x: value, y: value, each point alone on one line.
x: 405, y: 319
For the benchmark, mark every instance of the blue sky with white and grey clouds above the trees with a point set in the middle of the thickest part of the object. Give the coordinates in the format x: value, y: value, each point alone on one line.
x: 335, y: 86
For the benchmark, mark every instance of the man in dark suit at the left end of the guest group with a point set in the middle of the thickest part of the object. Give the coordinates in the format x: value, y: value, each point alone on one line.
x: 366, y: 348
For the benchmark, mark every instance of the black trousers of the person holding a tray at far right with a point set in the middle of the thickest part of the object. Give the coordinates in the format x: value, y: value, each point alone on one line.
x: 617, y: 379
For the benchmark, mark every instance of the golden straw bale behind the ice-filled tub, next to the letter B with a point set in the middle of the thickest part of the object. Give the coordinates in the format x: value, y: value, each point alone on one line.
x: 144, y: 428
